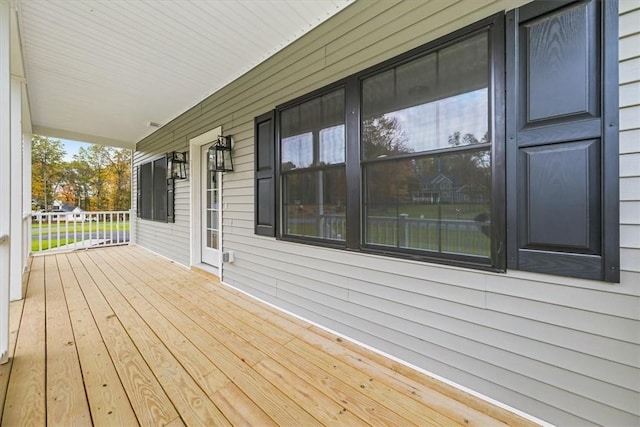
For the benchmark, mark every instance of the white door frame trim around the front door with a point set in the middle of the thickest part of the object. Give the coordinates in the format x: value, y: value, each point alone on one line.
x: 195, y: 161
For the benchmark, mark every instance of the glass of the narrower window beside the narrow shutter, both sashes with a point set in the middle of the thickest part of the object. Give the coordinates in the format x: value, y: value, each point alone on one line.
x: 313, y: 171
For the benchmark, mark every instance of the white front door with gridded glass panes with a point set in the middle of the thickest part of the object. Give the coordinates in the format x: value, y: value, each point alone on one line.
x: 211, y: 213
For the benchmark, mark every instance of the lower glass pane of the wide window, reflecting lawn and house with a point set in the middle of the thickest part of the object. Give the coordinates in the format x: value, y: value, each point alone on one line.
x: 435, y: 203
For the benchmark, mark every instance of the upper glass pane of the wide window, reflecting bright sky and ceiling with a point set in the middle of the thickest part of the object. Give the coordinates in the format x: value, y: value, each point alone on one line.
x: 433, y: 102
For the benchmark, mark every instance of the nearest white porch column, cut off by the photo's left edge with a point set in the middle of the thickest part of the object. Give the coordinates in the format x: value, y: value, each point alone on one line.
x: 5, y: 176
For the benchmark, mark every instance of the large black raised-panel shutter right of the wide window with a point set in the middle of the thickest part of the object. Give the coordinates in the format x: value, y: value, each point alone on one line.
x: 561, y: 190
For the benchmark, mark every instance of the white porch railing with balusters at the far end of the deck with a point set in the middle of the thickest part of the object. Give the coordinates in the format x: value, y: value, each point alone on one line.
x: 68, y: 231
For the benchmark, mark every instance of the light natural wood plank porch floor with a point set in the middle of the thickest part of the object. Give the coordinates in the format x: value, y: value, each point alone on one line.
x: 122, y: 337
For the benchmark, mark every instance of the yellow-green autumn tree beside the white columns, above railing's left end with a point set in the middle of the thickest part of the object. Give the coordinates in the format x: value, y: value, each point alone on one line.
x: 46, y: 169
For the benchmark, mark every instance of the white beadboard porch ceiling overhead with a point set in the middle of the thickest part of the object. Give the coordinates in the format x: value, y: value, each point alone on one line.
x: 100, y: 71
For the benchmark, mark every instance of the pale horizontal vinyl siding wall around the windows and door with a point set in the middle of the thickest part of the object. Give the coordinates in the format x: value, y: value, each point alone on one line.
x: 565, y: 350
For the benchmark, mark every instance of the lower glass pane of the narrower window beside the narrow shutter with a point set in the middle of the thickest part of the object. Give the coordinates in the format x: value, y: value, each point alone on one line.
x: 314, y: 204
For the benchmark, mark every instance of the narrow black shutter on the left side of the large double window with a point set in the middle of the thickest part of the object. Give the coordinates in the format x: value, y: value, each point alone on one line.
x: 265, y: 165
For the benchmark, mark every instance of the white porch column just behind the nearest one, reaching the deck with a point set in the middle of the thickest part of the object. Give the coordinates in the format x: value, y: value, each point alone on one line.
x: 16, y: 269
